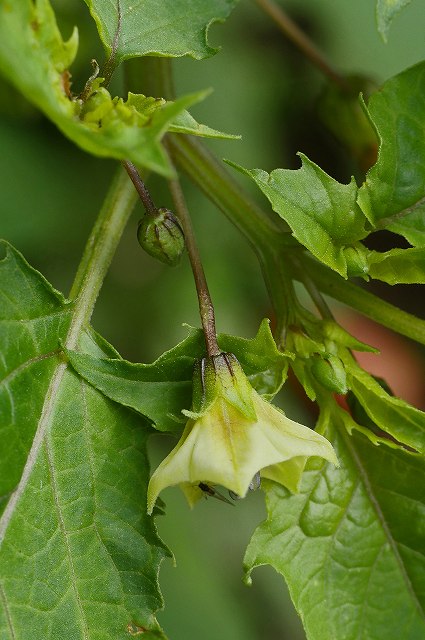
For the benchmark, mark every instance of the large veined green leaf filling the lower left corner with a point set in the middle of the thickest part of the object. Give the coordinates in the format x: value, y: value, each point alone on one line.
x: 79, y: 557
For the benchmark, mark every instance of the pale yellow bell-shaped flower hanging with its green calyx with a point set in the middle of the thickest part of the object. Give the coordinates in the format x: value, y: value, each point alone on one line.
x: 233, y: 434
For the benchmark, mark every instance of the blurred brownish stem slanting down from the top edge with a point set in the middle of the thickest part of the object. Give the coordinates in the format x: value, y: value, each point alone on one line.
x: 300, y: 40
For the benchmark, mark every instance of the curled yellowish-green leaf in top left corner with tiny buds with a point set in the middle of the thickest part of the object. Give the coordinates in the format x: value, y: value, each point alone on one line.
x: 35, y: 59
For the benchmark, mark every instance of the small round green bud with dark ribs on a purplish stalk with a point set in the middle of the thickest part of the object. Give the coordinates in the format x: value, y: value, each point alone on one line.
x: 160, y: 234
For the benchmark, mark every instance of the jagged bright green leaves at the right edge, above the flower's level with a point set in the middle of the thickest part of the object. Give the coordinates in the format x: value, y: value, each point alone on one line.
x: 330, y: 219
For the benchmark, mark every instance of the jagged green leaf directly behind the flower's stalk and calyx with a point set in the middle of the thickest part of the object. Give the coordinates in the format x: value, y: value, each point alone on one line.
x: 162, y: 389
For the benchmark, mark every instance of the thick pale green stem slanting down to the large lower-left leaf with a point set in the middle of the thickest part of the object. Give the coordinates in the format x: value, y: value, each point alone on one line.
x: 99, y: 251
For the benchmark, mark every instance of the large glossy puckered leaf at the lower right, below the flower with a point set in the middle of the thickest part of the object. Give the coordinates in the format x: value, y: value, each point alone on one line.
x: 351, y: 544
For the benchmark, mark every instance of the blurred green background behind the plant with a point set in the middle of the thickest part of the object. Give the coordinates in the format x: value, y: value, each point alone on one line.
x: 51, y: 193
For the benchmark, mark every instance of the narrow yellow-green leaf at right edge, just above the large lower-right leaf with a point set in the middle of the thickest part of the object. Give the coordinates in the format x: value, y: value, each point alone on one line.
x: 393, y: 415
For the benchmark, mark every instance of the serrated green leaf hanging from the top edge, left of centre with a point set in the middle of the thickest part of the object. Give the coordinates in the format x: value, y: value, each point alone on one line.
x: 172, y: 28
